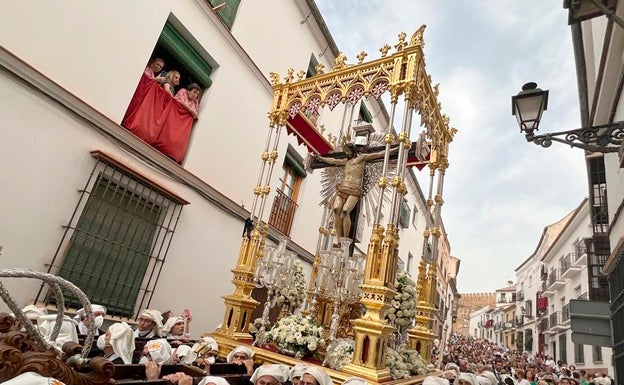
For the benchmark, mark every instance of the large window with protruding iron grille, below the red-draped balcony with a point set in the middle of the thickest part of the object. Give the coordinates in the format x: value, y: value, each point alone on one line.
x: 117, y: 239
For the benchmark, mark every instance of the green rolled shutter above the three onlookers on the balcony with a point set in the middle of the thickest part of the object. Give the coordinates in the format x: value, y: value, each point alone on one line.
x: 175, y: 43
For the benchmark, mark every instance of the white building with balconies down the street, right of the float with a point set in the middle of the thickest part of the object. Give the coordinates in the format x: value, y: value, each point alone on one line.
x: 560, y: 263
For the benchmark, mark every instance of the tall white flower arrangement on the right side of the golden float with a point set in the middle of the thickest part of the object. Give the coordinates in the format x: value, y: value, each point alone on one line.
x: 403, y: 306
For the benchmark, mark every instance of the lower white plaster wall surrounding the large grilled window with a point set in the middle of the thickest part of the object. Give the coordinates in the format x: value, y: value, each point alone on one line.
x: 45, y: 163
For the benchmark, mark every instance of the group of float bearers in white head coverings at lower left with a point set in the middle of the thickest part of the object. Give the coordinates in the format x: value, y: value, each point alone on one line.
x: 167, y: 341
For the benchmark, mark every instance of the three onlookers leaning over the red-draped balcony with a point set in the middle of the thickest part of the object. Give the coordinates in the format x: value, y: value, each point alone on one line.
x: 188, y: 97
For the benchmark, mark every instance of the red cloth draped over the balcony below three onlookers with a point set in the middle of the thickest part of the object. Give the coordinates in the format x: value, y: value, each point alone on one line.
x: 158, y: 119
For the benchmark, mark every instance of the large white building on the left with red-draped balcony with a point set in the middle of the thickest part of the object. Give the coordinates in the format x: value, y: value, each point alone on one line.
x: 111, y: 183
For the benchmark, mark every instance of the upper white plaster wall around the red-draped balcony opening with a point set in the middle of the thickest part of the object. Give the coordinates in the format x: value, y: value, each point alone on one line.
x: 100, y: 59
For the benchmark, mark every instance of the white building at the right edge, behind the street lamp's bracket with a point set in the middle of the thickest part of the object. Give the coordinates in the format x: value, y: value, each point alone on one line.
x: 597, y: 35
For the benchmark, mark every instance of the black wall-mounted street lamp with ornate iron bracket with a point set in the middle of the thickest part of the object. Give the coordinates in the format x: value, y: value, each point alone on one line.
x: 529, y: 104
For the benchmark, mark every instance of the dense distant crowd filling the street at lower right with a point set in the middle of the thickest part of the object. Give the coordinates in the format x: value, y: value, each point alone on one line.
x: 468, y: 360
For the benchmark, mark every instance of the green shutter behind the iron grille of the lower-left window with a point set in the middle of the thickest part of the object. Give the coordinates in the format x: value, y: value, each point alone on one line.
x: 109, y: 251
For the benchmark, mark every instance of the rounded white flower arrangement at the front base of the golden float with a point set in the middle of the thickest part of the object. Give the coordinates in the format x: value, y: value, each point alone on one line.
x: 296, y: 334
